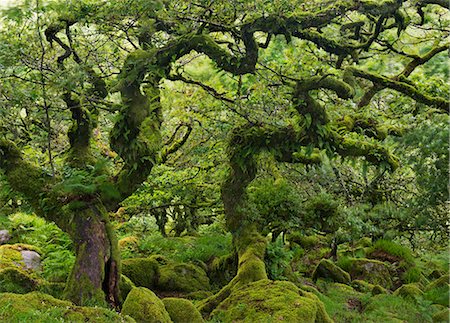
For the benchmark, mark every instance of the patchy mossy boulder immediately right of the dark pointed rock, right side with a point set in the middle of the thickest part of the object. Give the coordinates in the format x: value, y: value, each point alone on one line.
x: 372, y: 271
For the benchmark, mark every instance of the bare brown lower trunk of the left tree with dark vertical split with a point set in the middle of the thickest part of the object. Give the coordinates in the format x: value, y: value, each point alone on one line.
x: 94, y: 279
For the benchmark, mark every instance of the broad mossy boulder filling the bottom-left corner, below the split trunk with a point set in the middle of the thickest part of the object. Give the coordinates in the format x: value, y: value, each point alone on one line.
x: 39, y: 307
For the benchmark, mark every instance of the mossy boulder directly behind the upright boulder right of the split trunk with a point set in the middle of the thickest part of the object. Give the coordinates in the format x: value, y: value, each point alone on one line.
x: 141, y: 271
